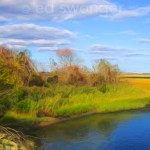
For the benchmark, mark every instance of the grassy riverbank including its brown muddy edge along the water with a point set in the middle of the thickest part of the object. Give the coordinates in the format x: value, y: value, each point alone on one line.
x: 36, y: 111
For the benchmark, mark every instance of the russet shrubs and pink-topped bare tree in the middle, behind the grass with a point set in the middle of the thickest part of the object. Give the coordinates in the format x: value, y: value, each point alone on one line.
x: 69, y: 72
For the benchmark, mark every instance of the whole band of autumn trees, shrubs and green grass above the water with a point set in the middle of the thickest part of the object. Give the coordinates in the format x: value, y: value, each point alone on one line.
x: 29, y: 97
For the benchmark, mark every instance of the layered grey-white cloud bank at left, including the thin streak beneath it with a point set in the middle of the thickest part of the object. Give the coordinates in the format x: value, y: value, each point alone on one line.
x: 25, y: 35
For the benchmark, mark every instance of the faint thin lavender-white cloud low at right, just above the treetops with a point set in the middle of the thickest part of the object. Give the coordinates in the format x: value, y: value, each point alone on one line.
x: 110, y: 52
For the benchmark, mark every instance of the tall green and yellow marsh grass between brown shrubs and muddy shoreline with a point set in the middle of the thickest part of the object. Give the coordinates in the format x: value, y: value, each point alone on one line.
x: 64, y: 101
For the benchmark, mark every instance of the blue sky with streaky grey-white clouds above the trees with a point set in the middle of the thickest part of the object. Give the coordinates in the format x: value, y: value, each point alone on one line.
x: 115, y: 30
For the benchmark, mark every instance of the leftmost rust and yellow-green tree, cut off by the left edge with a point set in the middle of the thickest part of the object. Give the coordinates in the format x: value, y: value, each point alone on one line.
x: 9, y: 71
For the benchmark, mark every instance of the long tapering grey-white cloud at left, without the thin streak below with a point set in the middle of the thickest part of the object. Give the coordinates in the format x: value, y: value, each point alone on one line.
x: 32, y: 31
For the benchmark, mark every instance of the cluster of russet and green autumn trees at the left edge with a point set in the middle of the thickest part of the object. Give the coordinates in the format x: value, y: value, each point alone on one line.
x: 16, y: 69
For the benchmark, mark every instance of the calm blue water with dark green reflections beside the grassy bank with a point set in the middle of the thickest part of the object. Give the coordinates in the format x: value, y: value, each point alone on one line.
x: 117, y: 131
